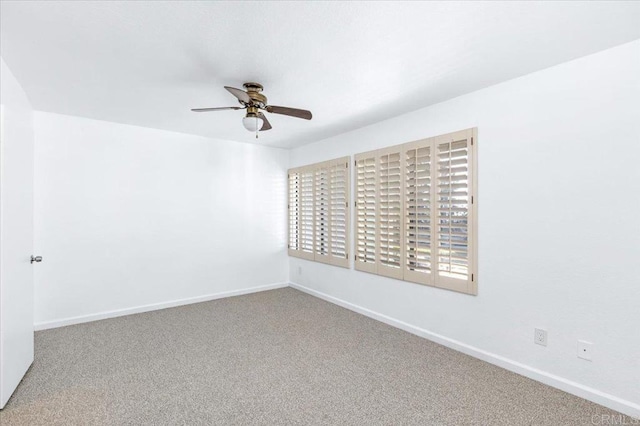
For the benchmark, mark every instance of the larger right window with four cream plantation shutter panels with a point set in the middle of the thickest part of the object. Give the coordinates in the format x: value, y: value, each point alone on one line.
x: 416, y: 212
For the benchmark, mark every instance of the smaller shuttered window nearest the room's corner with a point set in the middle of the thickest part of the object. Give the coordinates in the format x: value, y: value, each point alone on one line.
x: 319, y: 212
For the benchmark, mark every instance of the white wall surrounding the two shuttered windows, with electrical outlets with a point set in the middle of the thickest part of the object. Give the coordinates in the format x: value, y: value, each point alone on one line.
x: 559, y: 236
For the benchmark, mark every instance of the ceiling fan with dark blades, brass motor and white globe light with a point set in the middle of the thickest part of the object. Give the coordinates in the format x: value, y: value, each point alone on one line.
x: 254, y: 101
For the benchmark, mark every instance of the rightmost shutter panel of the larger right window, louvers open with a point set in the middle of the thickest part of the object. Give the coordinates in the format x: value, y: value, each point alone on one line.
x: 454, y: 211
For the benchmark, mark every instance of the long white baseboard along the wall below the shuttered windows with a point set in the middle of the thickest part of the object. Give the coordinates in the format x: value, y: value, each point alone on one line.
x: 626, y: 407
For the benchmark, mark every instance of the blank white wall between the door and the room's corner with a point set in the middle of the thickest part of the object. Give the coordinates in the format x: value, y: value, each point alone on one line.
x: 128, y: 216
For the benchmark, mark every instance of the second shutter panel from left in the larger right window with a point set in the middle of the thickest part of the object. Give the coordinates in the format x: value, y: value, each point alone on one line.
x: 390, y: 250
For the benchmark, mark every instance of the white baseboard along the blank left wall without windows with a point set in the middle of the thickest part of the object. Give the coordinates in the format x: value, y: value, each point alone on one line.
x: 153, y: 307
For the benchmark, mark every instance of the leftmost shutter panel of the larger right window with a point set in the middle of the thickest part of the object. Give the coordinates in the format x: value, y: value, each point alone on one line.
x: 366, y: 207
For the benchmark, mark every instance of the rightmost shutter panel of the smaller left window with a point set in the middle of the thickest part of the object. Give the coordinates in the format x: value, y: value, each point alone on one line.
x: 339, y: 211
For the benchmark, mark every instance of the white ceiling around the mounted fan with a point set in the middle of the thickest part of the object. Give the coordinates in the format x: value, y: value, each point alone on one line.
x: 350, y: 63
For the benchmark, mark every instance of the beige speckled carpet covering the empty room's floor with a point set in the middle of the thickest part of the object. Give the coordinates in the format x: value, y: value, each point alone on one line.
x: 276, y: 357
